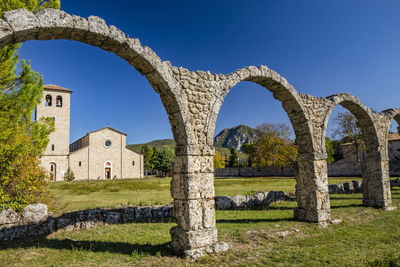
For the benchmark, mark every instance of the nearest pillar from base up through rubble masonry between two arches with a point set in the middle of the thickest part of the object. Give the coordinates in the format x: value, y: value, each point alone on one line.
x: 192, y: 185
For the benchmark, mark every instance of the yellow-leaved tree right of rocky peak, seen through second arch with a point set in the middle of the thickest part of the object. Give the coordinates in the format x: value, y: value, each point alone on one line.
x: 274, y: 147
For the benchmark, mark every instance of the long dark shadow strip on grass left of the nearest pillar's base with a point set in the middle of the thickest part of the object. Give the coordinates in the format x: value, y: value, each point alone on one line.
x: 93, y: 246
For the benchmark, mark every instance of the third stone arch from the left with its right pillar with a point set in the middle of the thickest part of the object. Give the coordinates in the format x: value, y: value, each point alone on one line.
x: 374, y: 126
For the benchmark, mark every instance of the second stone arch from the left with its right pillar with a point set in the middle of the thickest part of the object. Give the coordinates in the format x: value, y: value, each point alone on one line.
x: 312, y: 183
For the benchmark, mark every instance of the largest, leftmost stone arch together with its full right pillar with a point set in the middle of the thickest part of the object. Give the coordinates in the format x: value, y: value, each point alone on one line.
x: 196, y: 232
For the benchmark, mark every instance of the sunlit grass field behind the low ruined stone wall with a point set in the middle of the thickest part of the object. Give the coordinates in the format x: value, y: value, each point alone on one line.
x: 115, y: 193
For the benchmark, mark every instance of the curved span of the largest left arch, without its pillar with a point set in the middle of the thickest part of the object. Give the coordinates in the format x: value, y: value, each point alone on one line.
x: 21, y: 25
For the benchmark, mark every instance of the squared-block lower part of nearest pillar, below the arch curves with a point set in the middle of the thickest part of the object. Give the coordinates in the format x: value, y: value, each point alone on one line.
x: 192, y: 188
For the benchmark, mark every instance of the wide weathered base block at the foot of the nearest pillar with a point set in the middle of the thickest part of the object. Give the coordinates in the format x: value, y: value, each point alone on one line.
x: 195, y: 243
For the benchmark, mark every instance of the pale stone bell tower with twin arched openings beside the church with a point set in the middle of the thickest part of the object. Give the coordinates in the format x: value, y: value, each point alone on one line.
x: 55, y: 104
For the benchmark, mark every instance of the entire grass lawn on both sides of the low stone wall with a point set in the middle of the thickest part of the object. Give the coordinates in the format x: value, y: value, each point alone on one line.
x: 366, y: 237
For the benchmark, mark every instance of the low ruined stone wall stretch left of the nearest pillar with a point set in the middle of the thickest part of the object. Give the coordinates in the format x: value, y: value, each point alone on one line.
x: 35, y: 220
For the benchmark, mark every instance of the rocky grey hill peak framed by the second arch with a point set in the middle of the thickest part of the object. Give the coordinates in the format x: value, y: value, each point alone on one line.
x: 236, y: 137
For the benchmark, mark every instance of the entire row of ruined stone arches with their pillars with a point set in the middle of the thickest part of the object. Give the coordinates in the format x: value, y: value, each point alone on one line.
x: 193, y: 99
